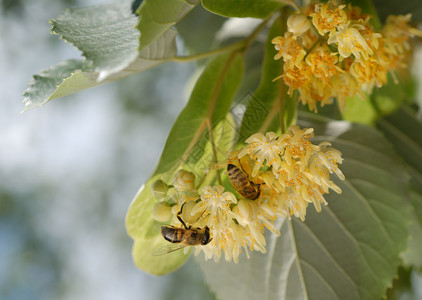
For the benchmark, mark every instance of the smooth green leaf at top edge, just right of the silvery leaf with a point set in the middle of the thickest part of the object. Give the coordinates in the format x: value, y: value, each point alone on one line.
x: 158, y: 16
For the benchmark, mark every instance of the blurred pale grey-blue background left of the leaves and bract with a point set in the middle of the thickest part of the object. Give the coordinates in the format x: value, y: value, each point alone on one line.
x: 69, y: 170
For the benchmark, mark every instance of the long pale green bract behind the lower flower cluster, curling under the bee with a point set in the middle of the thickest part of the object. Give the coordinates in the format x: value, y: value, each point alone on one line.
x: 209, y: 102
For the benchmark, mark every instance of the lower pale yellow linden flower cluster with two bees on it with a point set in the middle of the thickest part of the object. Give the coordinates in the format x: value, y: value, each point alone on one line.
x: 290, y: 172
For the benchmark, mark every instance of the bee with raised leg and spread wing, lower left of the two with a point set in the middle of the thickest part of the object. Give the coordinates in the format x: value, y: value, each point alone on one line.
x: 180, y: 237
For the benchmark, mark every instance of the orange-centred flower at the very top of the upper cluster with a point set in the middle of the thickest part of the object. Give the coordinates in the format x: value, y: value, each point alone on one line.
x: 328, y: 16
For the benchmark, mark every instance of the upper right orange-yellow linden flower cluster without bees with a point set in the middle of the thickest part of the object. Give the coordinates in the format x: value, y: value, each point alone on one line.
x: 332, y: 50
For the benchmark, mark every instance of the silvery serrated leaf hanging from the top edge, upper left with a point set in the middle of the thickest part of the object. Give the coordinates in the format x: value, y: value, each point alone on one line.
x: 105, y: 34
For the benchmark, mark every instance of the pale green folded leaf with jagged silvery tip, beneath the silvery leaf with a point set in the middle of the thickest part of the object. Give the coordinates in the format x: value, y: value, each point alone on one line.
x: 72, y: 75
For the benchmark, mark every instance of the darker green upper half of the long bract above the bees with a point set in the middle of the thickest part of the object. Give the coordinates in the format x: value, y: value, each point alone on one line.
x: 209, y: 102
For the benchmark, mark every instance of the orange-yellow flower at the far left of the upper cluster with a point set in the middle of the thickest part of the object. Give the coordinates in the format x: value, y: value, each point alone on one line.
x: 289, y: 48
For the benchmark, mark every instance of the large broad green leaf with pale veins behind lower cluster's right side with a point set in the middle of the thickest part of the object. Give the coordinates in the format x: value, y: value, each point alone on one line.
x: 348, y: 251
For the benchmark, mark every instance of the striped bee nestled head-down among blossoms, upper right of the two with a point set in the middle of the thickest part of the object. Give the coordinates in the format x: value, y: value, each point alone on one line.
x: 241, y: 183
